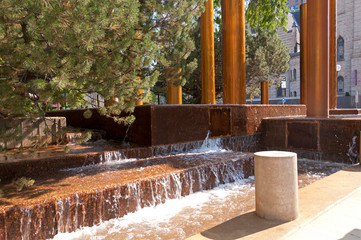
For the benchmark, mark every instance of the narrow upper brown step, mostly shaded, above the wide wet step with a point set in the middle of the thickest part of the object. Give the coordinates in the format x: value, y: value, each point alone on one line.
x: 14, y: 165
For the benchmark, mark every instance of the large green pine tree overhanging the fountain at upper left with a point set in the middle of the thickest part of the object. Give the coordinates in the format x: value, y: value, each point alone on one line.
x: 57, y: 51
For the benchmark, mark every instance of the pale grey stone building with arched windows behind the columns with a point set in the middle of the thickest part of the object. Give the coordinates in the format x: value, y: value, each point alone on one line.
x: 348, y: 55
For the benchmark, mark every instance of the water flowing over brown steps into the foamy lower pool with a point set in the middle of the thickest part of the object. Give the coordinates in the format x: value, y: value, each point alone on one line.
x: 170, y: 192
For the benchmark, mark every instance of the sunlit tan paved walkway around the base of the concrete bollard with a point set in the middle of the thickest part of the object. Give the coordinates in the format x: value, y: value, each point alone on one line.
x: 329, y: 209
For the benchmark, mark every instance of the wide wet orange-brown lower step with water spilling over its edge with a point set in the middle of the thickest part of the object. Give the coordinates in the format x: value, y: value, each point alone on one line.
x: 68, y: 199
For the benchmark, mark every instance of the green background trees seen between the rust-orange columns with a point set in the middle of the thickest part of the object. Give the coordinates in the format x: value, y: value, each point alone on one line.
x: 266, y: 55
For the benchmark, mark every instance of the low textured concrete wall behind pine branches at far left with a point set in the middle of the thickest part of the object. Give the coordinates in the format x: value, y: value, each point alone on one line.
x: 27, y: 132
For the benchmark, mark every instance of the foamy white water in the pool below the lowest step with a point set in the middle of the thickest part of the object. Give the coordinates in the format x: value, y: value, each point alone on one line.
x: 186, y: 216
